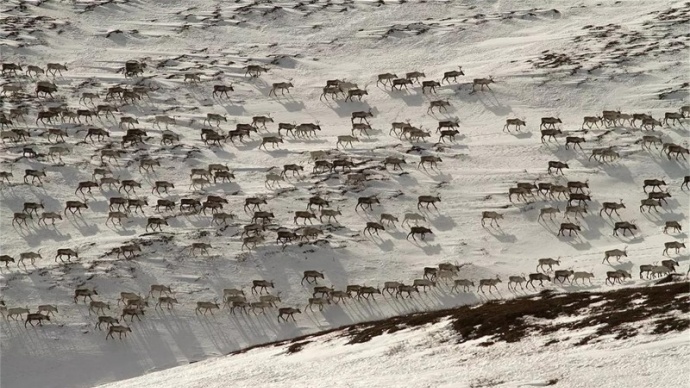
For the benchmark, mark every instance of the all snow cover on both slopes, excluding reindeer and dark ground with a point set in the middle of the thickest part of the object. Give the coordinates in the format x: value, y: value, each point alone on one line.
x: 563, y: 60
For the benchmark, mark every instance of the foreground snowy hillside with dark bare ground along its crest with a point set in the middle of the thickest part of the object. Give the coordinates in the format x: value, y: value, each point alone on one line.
x: 425, y: 350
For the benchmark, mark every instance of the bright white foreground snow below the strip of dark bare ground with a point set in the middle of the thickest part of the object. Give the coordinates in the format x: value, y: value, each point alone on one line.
x: 425, y: 358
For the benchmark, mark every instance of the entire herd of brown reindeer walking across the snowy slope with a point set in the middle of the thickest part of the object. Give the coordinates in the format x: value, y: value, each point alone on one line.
x: 127, y: 205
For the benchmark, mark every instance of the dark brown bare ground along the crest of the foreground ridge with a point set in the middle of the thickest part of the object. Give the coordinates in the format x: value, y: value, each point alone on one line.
x: 615, y: 312
